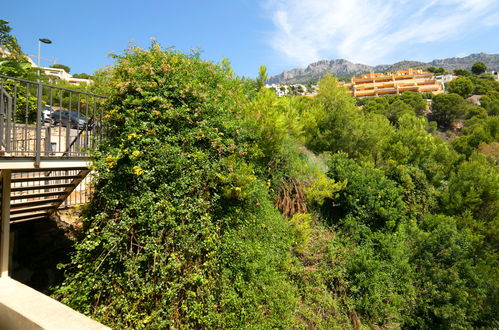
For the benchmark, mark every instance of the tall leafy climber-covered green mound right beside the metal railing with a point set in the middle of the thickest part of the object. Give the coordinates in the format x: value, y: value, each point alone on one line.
x: 181, y: 230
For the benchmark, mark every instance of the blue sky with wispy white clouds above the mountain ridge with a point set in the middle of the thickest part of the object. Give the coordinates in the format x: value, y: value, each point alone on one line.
x: 281, y: 34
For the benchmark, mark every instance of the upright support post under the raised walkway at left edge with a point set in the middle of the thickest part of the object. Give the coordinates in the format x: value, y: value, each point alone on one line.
x: 5, y: 233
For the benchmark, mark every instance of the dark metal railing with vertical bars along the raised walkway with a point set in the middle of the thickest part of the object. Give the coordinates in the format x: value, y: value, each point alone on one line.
x: 40, y: 120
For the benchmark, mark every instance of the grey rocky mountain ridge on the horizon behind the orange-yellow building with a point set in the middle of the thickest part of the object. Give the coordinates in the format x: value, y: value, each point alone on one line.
x: 342, y: 67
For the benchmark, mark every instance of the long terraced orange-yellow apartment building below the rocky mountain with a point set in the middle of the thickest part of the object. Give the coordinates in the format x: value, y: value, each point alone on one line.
x: 378, y: 84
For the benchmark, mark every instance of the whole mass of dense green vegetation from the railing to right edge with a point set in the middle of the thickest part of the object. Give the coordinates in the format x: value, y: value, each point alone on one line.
x: 219, y: 205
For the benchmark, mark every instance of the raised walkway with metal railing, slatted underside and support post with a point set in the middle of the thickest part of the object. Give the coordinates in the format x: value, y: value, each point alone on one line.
x: 43, y: 161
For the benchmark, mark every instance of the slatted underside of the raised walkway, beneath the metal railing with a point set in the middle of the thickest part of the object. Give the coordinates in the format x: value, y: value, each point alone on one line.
x: 37, y: 193
